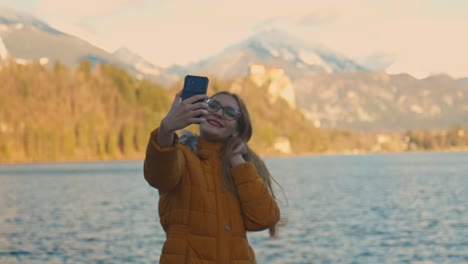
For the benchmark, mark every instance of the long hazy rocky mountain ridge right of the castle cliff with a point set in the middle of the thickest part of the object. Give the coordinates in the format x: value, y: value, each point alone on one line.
x: 381, y: 102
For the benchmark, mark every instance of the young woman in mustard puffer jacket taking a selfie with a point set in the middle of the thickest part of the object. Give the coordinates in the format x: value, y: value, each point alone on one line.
x: 212, y: 188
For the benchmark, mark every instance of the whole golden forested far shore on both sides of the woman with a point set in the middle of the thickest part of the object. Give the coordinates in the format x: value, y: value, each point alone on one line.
x: 103, y: 113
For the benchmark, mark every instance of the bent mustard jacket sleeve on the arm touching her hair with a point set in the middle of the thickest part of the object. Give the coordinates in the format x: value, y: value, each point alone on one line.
x: 260, y: 210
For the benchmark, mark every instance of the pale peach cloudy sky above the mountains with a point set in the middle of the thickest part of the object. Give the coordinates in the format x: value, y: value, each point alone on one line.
x: 419, y: 37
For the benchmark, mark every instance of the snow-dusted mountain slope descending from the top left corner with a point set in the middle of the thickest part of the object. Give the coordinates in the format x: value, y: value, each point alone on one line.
x: 26, y: 38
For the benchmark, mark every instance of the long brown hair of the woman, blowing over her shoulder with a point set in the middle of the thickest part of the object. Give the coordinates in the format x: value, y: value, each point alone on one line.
x: 244, y: 129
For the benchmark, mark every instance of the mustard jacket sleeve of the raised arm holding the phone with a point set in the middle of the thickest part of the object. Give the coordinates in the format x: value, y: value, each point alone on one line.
x: 163, y: 165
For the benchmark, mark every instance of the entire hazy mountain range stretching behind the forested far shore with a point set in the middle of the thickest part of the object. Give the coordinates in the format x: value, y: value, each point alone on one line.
x: 331, y: 89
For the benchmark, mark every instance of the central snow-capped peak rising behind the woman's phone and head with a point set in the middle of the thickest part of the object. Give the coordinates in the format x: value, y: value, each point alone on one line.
x: 273, y: 48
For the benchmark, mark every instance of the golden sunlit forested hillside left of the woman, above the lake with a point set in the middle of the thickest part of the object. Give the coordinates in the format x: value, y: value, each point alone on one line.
x: 60, y: 114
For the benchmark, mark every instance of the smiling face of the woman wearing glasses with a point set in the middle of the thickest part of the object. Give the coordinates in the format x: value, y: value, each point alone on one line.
x: 217, y: 127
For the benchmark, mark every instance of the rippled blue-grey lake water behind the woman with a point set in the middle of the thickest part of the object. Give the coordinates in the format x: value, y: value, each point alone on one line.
x: 387, y: 208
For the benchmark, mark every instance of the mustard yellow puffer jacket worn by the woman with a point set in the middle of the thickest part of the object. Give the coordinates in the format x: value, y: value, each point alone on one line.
x: 203, y: 221
